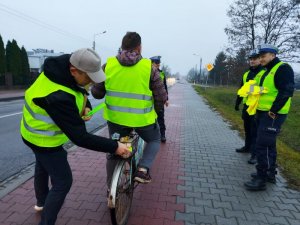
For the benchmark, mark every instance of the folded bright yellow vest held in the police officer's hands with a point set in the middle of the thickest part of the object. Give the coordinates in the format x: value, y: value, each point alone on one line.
x: 251, y: 92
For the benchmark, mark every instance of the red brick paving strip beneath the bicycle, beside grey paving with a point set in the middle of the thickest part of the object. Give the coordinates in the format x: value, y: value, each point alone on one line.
x: 154, y: 203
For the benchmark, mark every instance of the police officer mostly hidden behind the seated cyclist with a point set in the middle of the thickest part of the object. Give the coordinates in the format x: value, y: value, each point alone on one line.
x: 161, y: 114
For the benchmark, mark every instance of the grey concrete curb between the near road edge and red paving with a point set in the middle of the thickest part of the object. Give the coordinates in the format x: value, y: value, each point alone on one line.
x: 13, y: 182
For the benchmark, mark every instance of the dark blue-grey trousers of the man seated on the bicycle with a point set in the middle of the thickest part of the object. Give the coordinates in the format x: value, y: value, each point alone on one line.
x: 150, y: 134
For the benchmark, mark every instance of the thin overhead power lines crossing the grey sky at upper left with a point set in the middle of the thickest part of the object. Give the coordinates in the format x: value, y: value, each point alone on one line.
x: 27, y: 18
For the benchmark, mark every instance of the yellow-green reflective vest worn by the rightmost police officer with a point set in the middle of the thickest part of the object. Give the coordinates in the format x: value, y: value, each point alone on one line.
x: 266, y: 100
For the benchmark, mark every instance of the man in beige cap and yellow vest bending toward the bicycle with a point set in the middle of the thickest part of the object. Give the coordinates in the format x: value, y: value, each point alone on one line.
x: 52, y: 114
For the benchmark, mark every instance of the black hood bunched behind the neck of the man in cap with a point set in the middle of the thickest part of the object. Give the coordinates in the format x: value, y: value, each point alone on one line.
x: 57, y: 69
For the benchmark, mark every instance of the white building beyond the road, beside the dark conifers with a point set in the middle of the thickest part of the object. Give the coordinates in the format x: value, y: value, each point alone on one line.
x: 36, y: 58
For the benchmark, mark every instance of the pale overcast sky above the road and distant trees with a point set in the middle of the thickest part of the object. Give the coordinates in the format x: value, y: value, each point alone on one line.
x: 174, y: 29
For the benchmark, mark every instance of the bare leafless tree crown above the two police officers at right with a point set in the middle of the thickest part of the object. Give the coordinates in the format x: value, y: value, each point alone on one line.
x: 270, y: 21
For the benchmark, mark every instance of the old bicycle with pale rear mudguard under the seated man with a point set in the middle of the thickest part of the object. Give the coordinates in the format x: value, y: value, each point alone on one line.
x: 122, y: 185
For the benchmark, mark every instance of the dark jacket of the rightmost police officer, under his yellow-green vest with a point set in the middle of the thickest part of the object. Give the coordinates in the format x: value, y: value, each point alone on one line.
x: 284, y: 82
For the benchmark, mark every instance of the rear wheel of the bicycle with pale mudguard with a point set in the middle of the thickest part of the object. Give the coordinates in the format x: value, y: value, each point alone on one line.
x: 121, y: 193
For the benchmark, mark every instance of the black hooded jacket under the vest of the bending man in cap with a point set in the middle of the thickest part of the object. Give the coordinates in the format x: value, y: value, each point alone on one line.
x: 61, y: 107
